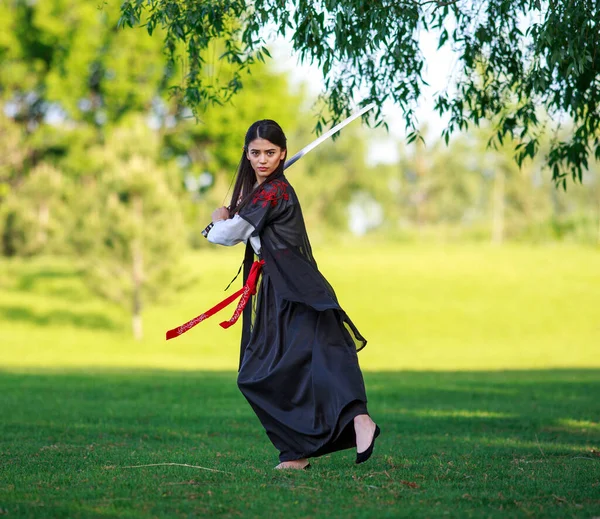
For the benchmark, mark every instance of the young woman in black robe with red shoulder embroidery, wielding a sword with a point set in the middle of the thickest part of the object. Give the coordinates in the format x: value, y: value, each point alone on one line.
x: 298, y: 364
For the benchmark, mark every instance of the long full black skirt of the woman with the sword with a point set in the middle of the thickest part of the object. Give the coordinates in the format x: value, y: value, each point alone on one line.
x: 300, y: 374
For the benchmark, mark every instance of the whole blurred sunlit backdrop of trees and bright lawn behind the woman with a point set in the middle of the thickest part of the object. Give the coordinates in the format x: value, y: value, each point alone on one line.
x: 445, y: 256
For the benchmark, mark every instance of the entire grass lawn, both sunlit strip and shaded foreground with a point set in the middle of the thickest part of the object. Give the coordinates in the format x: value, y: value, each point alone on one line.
x: 482, y: 369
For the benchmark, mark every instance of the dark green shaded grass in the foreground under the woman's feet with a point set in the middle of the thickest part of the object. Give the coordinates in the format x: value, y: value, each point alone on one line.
x: 465, y: 444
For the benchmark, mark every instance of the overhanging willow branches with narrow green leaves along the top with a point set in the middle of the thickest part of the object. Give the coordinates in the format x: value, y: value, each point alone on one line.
x: 515, y: 58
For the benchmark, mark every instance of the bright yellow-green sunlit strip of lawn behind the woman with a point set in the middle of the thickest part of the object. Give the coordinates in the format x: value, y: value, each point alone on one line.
x: 421, y: 308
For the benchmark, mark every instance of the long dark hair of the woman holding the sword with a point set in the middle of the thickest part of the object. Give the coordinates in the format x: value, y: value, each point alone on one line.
x: 246, y: 178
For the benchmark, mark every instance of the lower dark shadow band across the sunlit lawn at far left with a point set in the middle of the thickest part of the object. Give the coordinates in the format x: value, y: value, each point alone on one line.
x: 91, y: 320
